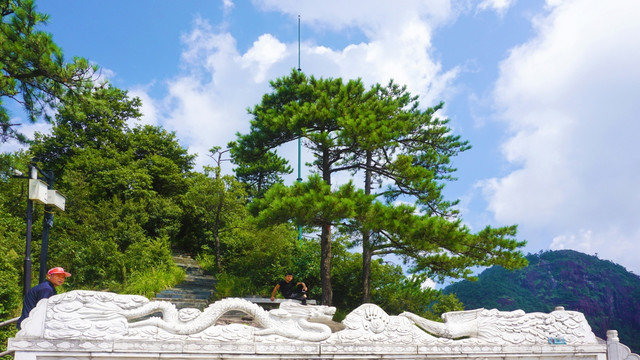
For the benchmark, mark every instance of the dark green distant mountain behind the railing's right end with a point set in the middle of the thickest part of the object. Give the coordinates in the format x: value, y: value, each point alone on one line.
x: 607, y: 294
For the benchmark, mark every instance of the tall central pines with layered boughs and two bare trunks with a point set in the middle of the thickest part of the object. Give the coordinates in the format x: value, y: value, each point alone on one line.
x: 383, y: 134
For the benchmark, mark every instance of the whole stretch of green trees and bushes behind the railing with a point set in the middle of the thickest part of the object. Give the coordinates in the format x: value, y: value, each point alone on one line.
x: 134, y: 196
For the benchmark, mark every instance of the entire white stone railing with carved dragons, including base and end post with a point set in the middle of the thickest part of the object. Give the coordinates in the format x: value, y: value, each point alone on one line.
x: 95, y: 325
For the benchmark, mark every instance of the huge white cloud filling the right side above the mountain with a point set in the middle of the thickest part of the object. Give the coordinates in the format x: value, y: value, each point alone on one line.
x: 569, y: 99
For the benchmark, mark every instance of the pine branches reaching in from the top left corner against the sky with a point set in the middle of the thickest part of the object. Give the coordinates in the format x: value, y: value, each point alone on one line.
x: 33, y: 70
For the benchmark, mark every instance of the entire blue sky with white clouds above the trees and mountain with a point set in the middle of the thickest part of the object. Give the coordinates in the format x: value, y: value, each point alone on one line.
x: 546, y: 92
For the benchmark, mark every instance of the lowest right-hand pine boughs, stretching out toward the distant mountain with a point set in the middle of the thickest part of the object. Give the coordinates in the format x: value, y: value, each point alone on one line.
x: 436, y: 246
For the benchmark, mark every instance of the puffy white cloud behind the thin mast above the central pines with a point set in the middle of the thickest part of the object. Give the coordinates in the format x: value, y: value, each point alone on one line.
x: 207, y: 103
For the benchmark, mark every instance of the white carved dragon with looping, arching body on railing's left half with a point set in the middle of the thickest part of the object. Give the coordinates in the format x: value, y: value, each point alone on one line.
x: 95, y: 314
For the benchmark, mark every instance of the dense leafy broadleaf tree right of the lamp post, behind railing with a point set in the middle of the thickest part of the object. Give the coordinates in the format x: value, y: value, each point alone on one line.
x: 123, y: 189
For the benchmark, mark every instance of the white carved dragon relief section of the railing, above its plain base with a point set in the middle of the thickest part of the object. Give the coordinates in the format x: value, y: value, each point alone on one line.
x: 93, y: 315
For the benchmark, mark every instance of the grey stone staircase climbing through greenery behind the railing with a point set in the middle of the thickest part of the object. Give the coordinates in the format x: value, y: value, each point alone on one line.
x: 195, y: 291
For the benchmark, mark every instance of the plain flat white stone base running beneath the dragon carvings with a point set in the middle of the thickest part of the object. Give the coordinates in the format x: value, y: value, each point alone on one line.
x: 38, y: 349
